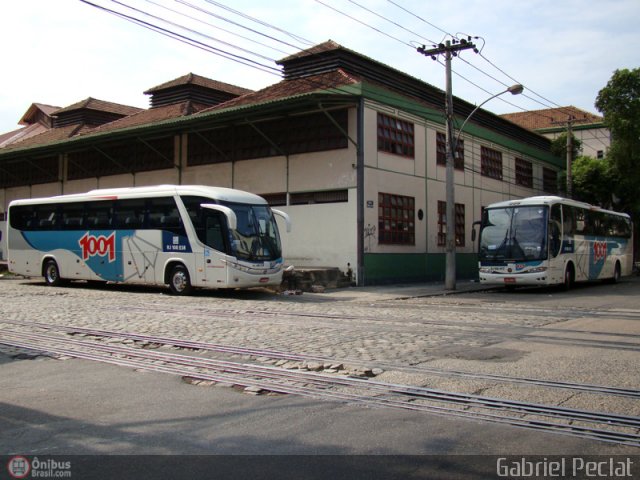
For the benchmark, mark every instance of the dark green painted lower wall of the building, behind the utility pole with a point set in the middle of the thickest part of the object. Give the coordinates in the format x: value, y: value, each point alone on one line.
x: 385, y: 268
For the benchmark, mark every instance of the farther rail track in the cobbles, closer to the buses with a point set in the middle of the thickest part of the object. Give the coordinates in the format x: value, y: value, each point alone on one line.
x: 297, y: 357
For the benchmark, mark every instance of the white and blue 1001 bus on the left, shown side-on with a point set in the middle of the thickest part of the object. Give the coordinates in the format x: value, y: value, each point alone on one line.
x: 183, y: 236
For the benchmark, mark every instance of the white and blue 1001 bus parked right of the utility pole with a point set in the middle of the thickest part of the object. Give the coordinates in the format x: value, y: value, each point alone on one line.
x: 550, y: 240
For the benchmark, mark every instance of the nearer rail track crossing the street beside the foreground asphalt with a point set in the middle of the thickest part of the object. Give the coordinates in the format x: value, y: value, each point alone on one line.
x: 606, y: 427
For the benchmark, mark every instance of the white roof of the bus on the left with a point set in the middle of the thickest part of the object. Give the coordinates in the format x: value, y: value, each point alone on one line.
x: 216, y: 193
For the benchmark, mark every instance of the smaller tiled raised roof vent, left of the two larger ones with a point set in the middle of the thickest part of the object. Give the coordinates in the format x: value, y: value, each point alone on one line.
x: 91, y: 112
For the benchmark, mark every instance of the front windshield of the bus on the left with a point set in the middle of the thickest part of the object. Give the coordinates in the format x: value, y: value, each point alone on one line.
x: 256, y: 237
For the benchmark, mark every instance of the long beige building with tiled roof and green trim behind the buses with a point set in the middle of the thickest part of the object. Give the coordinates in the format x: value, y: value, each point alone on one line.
x: 350, y: 148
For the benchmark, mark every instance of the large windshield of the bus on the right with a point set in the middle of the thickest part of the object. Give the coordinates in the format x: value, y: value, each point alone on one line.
x: 514, y: 234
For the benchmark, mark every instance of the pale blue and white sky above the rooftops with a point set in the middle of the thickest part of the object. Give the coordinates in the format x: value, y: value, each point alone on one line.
x: 59, y: 52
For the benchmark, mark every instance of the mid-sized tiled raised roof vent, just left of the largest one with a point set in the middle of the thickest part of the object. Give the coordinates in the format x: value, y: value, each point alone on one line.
x: 195, y: 88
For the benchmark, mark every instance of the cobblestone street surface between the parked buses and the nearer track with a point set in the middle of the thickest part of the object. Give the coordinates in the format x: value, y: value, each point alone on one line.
x: 389, y: 329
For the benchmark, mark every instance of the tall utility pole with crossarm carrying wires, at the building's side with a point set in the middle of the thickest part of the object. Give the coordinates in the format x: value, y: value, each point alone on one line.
x: 449, y: 49
